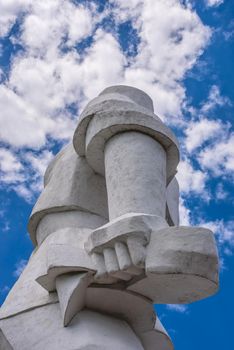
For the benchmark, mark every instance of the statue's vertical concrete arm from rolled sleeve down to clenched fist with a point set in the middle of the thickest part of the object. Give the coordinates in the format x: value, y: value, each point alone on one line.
x: 131, y: 148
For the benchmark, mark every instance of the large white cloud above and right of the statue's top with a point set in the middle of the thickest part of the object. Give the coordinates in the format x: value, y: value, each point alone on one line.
x: 166, y: 27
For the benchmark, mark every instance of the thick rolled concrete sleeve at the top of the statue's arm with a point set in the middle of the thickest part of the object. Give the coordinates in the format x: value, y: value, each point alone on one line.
x: 116, y: 111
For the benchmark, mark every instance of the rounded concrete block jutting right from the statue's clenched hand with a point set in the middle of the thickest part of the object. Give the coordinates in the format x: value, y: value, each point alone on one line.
x: 181, y: 266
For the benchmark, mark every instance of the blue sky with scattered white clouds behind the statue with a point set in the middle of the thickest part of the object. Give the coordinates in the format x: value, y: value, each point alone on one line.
x: 56, y: 55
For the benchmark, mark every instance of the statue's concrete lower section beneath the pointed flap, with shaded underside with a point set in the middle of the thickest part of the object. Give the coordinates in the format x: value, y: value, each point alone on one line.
x: 123, y: 321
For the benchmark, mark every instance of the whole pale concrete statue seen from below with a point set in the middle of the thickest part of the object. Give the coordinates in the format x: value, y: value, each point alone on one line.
x: 108, y: 244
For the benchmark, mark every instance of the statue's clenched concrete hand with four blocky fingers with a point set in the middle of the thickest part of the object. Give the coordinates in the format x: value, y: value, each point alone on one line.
x: 119, y: 247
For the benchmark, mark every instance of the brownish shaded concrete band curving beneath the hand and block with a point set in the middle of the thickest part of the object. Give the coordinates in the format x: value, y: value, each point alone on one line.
x: 136, y: 310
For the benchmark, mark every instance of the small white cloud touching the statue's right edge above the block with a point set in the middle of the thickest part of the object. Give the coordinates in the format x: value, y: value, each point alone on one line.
x: 190, y: 180
